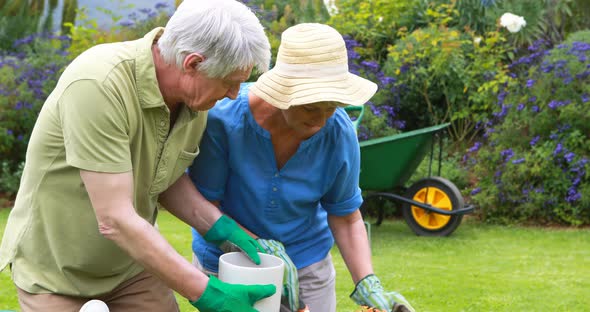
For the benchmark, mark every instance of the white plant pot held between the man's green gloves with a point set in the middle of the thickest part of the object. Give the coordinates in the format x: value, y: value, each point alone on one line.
x: 236, y: 268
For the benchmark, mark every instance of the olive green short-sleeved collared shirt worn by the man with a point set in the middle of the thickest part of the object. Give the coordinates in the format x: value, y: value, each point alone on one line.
x: 106, y: 114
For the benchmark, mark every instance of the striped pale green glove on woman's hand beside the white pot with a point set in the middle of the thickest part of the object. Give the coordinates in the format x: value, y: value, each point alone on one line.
x: 291, y: 280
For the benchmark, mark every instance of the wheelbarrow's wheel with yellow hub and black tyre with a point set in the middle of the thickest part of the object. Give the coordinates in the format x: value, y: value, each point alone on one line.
x: 439, y: 193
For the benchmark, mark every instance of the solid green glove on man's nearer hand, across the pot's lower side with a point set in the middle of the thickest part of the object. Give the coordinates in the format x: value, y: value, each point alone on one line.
x: 223, y: 297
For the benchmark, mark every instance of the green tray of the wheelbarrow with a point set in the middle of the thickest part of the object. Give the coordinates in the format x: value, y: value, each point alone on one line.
x: 389, y: 162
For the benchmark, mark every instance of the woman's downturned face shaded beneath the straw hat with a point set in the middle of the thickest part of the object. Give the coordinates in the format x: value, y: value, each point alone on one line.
x: 307, y: 120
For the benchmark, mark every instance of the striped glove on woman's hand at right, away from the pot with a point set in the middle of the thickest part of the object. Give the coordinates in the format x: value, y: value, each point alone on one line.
x: 369, y: 292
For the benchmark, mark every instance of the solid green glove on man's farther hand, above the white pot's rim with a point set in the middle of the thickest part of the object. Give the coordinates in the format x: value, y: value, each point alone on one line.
x: 227, y: 235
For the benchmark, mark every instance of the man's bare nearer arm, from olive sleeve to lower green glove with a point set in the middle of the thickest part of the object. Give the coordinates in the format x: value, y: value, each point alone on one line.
x: 111, y: 195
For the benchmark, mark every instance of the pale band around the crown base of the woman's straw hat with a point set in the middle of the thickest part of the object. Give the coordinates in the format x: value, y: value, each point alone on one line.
x: 310, y: 70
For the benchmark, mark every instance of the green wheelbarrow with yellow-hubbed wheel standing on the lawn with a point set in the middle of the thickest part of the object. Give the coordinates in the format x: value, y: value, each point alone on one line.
x: 432, y: 206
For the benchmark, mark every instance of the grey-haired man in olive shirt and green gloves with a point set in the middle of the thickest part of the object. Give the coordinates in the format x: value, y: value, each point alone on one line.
x: 115, y: 138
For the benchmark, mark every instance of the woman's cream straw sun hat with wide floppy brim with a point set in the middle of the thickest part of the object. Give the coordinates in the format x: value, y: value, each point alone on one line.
x: 311, y: 67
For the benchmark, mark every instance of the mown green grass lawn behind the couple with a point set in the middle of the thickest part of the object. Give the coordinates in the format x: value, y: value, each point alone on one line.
x: 479, y: 268
